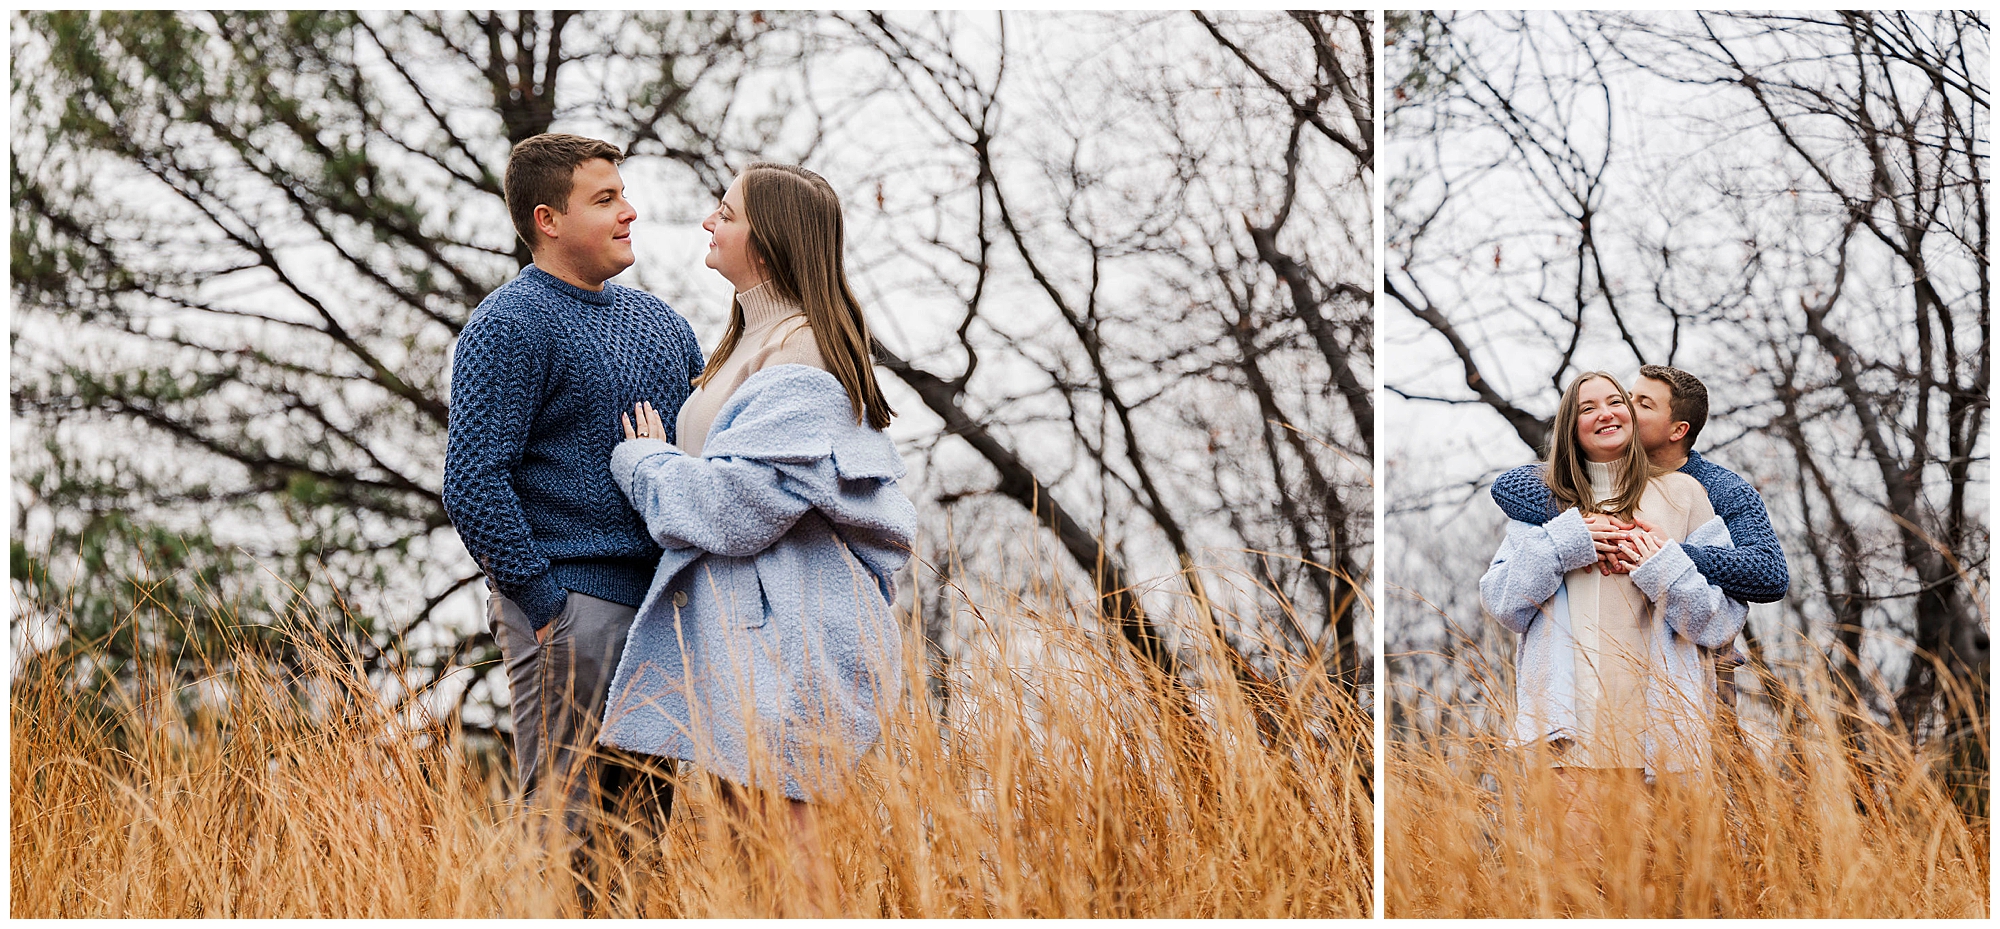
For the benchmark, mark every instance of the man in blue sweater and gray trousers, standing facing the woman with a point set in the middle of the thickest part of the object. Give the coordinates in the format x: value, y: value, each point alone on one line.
x: 539, y: 377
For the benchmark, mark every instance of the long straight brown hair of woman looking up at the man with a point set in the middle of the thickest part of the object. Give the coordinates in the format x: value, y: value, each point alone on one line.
x: 797, y: 231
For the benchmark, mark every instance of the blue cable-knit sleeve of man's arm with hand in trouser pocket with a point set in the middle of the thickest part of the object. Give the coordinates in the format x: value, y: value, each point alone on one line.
x: 497, y: 387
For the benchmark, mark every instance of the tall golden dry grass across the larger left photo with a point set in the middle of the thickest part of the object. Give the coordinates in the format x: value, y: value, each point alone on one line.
x: 1071, y: 784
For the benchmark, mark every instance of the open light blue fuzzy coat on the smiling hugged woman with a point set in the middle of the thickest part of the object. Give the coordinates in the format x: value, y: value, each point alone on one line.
x: 1525, y: 592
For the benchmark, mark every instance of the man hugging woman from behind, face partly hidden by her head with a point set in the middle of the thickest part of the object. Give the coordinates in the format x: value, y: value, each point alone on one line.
x: 1669, y: 409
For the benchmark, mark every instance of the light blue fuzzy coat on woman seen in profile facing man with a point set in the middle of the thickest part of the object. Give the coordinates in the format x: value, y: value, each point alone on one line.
x: 767, y: 644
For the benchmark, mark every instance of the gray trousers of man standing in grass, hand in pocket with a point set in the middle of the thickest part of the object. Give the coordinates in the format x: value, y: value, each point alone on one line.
x: 557, y: 692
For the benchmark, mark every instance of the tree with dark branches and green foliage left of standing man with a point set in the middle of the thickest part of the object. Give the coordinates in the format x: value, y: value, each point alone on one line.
x: 243, y: 247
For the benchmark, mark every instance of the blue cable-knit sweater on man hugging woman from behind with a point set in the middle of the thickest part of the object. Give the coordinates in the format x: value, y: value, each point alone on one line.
x: 1753, y: 572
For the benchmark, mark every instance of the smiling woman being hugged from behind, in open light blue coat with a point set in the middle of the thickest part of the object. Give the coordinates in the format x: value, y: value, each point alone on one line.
x: 1611, y: 666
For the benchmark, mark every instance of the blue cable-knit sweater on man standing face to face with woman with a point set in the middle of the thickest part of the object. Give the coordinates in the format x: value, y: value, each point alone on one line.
x: 539, y: 379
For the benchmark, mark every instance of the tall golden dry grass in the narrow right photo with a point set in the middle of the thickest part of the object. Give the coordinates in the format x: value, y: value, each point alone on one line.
x: 1809, y: 810
